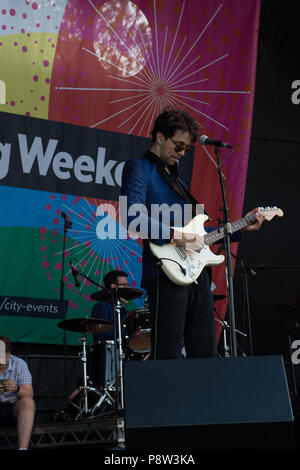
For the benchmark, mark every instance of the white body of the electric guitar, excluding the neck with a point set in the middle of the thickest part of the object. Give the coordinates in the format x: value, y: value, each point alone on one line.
x: 192, y: 262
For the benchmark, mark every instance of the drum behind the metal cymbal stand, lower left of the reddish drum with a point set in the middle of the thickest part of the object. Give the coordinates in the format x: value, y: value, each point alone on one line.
x: 103, y: 371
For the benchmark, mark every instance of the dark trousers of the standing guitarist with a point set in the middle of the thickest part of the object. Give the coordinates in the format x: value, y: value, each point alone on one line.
x: 182, y: 313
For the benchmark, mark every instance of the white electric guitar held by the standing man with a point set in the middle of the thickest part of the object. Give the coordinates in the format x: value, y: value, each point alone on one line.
x: 183, y: 266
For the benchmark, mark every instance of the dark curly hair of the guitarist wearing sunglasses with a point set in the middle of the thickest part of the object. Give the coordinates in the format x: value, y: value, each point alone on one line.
x: 169, y: 121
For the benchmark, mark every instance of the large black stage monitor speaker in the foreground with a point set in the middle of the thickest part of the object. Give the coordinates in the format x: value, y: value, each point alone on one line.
x: 229, y: 403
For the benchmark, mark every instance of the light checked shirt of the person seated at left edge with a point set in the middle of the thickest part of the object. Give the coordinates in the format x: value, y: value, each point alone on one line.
x: 18, y: 371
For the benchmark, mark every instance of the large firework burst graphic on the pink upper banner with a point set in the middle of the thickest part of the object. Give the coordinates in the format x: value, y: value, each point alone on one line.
x: 149, y: 64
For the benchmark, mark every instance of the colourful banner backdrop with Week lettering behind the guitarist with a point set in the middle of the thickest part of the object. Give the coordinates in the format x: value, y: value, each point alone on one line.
x: 81, y: 83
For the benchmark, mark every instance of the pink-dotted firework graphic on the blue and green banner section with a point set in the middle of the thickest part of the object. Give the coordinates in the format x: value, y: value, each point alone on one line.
x: 90, y: 247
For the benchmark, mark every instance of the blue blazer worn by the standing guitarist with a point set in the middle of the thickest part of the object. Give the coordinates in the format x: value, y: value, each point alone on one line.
x: 146, y: 184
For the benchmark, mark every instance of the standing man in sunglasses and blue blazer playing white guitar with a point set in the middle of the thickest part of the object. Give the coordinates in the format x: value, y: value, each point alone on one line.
x: 178, y: 310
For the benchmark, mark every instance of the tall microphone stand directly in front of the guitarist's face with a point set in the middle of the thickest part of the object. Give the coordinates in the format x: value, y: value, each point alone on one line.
x: 228, y: 262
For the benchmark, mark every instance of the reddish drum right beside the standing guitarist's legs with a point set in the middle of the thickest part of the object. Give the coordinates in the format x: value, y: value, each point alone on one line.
x: 140, y: 340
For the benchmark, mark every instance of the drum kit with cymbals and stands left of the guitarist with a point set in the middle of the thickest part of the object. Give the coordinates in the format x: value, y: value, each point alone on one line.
x: 107, y: 390
